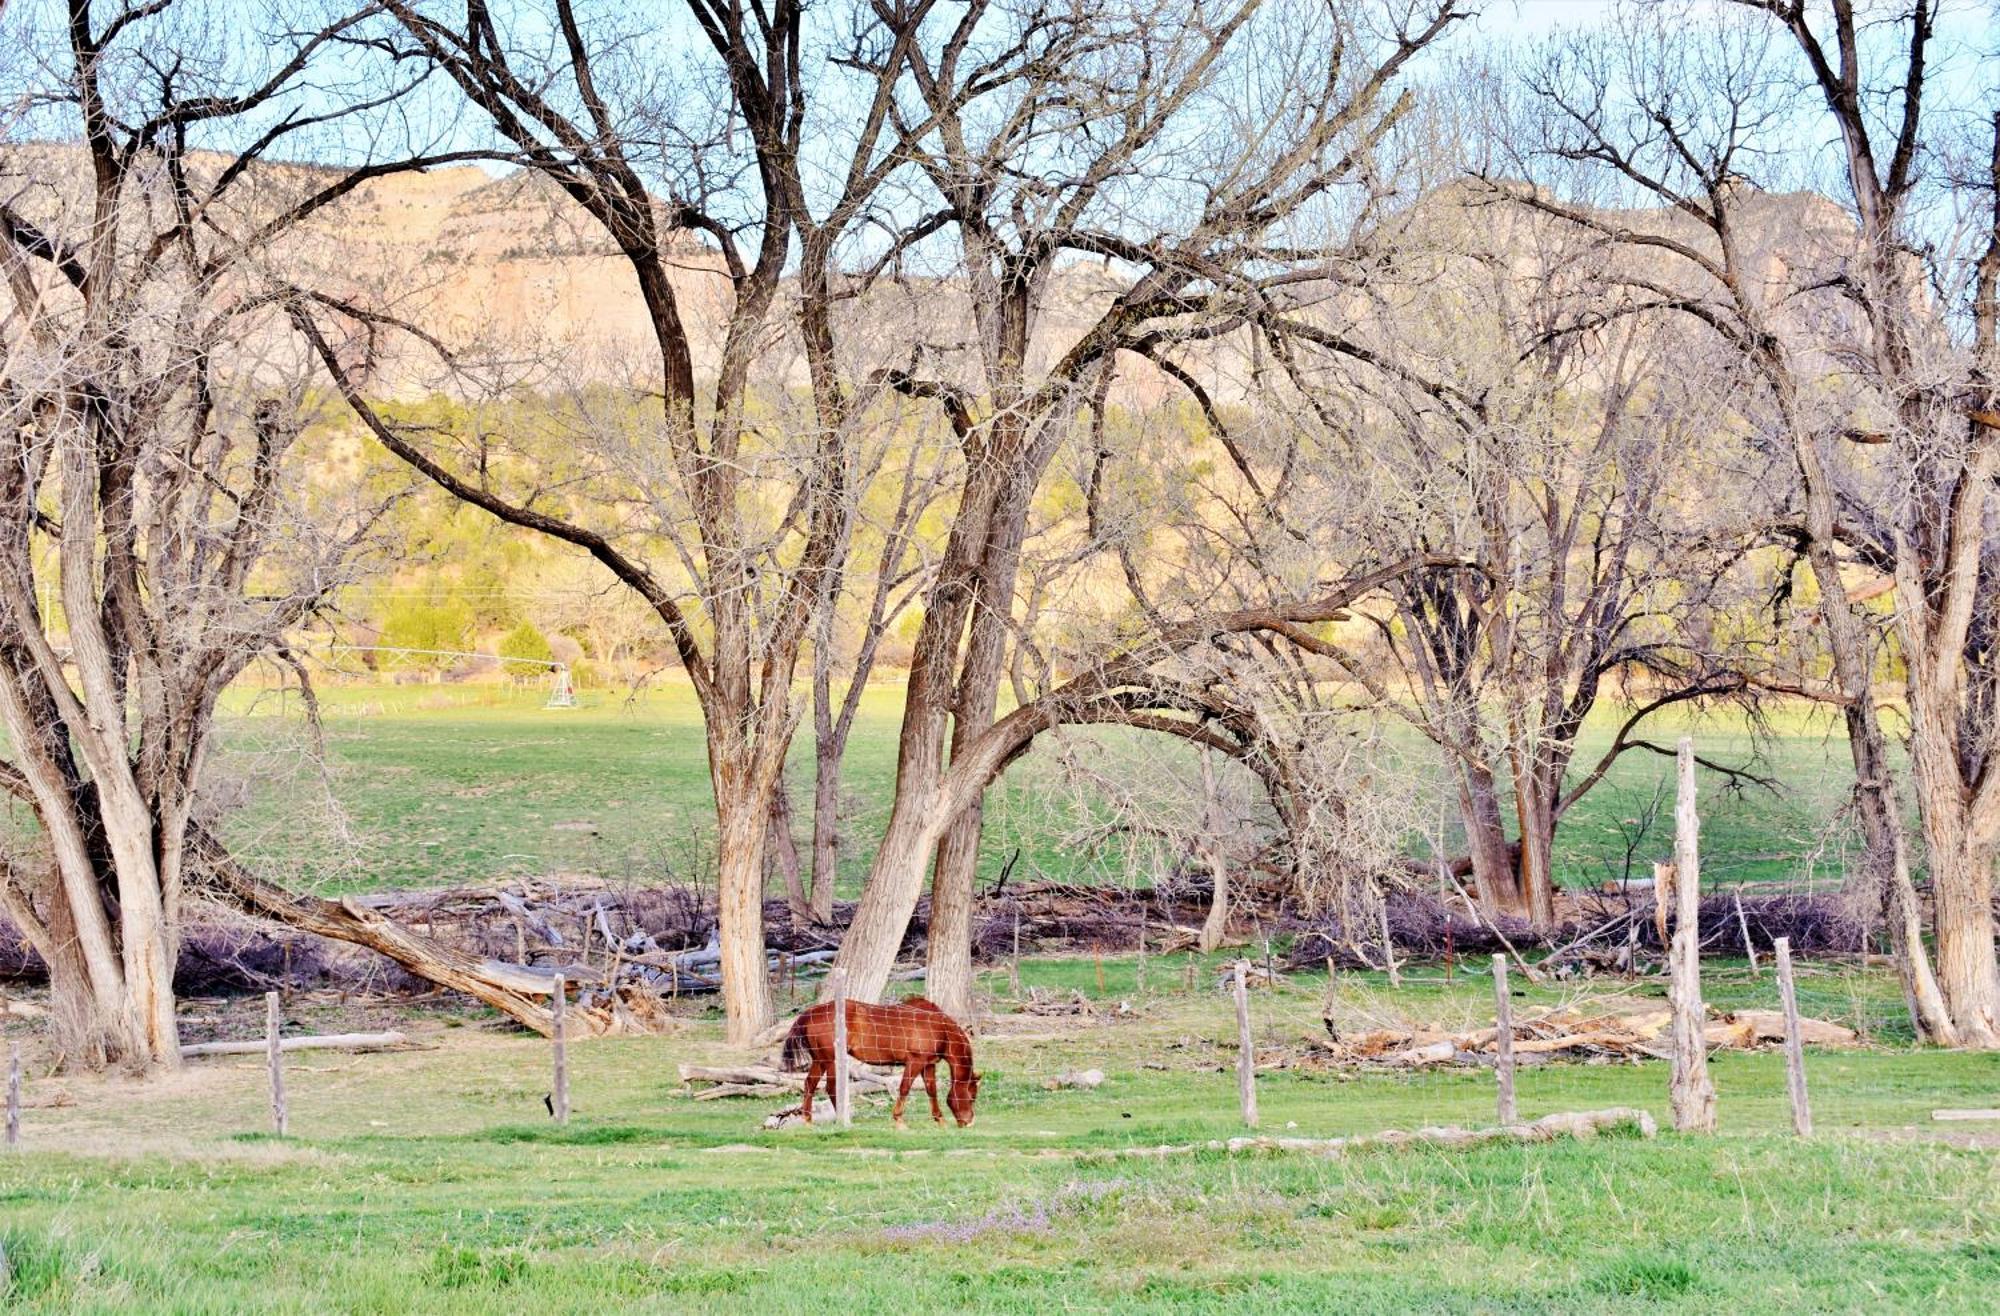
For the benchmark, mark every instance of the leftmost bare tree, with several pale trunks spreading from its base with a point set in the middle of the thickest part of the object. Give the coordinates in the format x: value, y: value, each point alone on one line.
x: 157, y: 531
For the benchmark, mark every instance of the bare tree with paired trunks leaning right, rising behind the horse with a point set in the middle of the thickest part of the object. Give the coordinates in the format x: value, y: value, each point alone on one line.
x: 1053, y: 135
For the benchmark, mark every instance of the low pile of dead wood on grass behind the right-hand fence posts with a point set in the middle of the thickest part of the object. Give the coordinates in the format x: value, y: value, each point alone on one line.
x: 1587, y: 1033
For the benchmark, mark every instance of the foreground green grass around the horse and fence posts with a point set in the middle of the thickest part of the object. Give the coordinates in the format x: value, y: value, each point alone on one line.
x: 433, y: 1181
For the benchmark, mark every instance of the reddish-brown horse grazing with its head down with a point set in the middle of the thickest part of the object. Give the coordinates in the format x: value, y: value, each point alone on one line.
x: 909, y: 1033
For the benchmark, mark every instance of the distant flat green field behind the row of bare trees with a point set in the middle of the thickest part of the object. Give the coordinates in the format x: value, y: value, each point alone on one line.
x: 437, y: 785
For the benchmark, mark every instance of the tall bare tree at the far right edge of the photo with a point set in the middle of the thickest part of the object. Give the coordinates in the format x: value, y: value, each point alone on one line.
x: 1857, y: 379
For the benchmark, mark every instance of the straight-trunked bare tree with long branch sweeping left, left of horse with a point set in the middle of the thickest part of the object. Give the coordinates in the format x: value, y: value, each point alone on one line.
x: 753, y: 513
